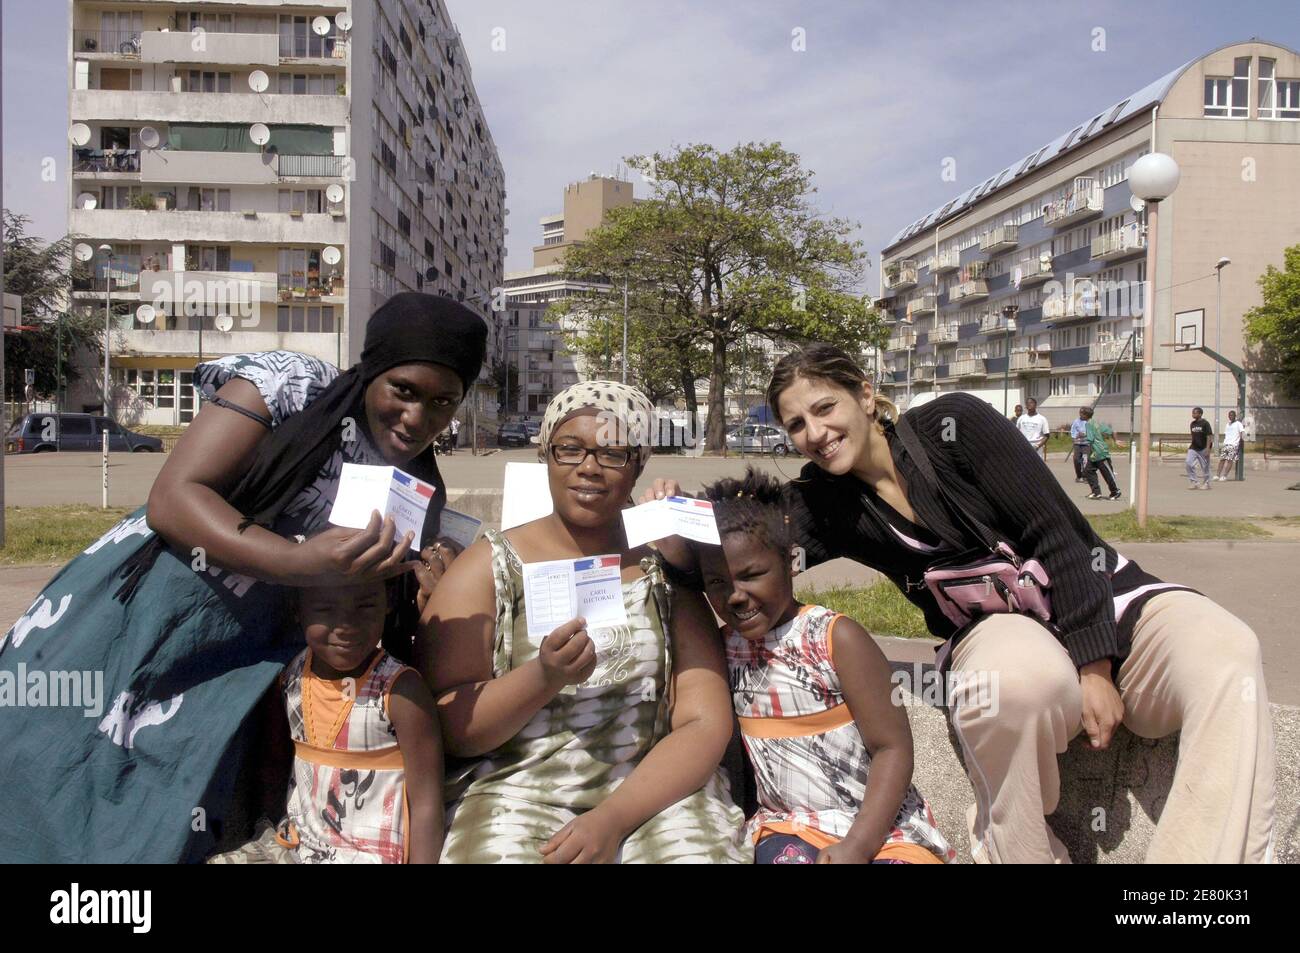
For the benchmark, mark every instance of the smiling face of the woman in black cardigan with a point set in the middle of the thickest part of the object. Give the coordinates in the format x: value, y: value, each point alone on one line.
x: 830, y: 426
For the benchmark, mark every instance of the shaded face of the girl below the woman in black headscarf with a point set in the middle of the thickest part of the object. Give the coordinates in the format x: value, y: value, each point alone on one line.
x: 344, y: 625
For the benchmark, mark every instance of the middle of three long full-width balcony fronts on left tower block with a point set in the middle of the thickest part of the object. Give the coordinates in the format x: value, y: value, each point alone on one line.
x: 207, y: 228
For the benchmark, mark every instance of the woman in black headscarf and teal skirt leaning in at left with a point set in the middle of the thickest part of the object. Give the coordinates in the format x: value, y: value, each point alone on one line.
x: 185, y: 609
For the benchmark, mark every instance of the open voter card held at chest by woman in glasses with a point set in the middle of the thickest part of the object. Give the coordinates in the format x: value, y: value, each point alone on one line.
x: 560, y: 591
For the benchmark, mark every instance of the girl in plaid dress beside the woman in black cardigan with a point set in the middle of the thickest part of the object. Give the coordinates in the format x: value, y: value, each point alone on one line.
x: 833, y: 756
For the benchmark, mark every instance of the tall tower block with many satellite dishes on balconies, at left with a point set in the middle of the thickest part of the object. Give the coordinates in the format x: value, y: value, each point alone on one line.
x: 265, y: 175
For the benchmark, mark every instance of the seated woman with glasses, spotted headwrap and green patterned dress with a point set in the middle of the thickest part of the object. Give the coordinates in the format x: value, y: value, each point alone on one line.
x: 586, y: 746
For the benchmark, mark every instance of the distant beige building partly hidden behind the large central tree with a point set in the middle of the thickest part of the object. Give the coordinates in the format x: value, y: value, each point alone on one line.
x: 528, y: 341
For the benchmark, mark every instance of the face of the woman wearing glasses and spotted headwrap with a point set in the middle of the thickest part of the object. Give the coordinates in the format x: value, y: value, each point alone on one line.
x: 588, y: 495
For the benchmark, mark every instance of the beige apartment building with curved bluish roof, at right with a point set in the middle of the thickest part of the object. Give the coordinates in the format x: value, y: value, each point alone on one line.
x: 1059, y: 237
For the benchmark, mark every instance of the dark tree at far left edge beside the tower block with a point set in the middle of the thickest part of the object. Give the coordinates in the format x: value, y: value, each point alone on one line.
x: 41, y: 274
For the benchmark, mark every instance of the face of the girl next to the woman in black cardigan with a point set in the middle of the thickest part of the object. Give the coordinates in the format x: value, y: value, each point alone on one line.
x: 749, y: 584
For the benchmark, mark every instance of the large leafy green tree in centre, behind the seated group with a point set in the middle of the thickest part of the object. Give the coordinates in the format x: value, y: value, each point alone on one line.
x: 729, y: 246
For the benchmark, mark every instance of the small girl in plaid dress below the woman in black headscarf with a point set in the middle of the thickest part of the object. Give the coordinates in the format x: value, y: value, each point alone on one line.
x: 367, y: 781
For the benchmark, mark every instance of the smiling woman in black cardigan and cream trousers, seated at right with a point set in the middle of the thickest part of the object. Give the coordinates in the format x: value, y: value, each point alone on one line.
x: 952, y: 482
